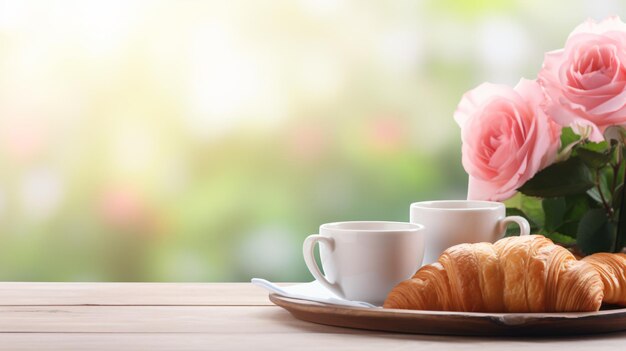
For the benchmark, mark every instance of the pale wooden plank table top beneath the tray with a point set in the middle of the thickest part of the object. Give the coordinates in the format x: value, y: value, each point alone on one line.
x: 206, y: 316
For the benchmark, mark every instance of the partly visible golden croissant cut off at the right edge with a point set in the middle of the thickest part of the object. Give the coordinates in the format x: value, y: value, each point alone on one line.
x: 612, y: 269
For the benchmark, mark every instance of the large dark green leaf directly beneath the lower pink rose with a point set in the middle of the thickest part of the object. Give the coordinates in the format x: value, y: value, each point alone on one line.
x: 569, y: 177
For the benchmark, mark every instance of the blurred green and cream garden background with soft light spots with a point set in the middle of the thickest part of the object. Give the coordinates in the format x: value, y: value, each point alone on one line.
x: 203, y: 141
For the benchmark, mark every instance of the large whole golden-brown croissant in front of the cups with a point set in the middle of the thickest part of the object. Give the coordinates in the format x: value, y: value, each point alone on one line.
x: 516, y: 274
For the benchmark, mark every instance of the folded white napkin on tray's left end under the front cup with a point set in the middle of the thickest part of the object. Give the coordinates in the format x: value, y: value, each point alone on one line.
x: 312, y: 291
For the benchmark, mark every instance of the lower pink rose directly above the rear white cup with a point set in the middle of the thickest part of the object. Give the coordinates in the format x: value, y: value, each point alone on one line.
x: 507, y: 138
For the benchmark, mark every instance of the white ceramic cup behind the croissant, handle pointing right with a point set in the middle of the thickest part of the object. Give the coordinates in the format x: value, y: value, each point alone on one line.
x: 451, y: 222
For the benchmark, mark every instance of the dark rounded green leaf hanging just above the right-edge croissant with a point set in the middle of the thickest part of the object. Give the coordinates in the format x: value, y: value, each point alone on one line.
x: 595, y: 232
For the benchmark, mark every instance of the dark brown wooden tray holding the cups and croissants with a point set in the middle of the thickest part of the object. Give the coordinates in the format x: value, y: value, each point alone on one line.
x: 455, y: 323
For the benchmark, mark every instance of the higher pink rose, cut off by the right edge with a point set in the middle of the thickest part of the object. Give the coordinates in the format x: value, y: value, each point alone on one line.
x: 586, y: 81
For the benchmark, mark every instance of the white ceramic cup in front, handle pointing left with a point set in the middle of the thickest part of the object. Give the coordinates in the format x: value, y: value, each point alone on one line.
x: 363, y: 261
